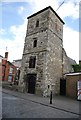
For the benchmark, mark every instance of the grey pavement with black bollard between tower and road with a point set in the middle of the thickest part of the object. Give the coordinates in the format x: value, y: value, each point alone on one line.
x: 58, y: 102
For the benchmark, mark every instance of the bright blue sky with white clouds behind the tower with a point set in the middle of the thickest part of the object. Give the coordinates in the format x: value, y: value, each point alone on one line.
x: 13, y: 25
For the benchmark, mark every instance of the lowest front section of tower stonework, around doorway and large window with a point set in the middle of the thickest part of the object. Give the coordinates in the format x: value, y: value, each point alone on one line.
x: 40, y: 61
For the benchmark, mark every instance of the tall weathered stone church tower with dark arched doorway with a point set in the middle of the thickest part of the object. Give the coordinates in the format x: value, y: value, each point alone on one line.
x: 42, y: 62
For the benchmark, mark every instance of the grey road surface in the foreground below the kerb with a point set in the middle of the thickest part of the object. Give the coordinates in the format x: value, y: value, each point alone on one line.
x: 17, y: 107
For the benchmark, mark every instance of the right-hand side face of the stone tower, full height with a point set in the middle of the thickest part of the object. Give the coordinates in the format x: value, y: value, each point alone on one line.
x: 53, y: 70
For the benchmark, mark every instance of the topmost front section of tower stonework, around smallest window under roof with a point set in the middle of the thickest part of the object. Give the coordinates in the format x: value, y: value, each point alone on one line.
x: 43, y: 23
